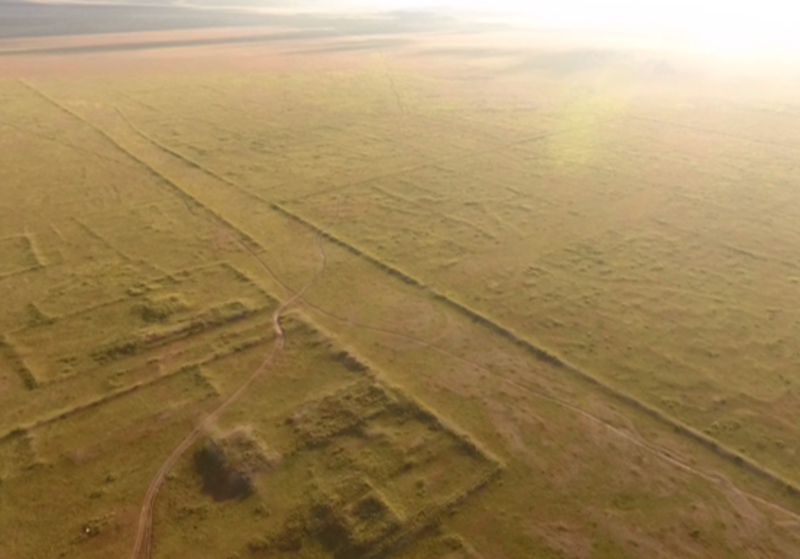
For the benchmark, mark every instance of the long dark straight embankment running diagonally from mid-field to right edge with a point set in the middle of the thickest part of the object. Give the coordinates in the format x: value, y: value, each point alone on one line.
x: 554, y: 360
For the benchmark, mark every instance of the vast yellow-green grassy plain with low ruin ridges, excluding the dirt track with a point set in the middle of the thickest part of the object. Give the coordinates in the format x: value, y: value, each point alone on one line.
x: 550, y: 303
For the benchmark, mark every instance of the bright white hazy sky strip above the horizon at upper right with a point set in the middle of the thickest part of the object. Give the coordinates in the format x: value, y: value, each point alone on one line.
x: 732, y: 26
